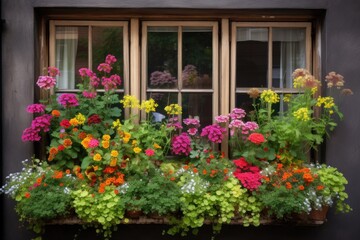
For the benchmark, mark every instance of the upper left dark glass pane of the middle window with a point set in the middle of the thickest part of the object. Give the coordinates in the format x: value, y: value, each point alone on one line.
x: 162, y: 57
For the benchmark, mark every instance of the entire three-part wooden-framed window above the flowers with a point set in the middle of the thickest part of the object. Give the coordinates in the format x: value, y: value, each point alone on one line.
x: 205, y: 66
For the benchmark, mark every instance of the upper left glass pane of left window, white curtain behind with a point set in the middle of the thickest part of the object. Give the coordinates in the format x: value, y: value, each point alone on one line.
x: 71, y: 54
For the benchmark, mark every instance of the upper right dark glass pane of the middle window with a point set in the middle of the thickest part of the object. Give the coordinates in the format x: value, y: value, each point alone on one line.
x: 197, y: 57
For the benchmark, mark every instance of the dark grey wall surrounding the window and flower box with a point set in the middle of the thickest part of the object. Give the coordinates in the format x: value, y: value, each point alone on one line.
x: 340, y: 52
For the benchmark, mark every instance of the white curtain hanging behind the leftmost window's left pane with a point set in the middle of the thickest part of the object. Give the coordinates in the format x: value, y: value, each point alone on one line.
x: 65, y: 55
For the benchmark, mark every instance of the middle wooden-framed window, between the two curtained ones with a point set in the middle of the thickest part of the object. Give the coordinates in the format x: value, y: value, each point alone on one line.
x: 179, y: 65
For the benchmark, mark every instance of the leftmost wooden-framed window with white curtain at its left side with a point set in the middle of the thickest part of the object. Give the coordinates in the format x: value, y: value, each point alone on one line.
x: 77, y: 44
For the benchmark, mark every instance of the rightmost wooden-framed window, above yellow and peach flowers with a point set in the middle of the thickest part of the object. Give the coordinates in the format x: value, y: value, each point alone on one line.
x: 265, y: 56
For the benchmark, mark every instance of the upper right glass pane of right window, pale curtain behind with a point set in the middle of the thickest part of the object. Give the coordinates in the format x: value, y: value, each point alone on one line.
x: 288, y: 54
